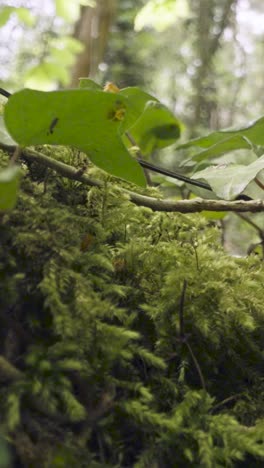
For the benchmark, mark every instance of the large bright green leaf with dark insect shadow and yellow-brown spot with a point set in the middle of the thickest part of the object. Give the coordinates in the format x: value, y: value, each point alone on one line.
x: 87, y: 119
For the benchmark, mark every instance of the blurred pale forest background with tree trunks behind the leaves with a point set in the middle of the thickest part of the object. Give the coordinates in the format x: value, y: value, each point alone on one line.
x: 202, y: 58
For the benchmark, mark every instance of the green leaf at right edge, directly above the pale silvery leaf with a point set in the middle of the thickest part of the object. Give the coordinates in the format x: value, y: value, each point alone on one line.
x: 254, y: 133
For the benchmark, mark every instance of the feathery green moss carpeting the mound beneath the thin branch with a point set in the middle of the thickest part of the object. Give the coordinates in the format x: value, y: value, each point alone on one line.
x: 91, y: 287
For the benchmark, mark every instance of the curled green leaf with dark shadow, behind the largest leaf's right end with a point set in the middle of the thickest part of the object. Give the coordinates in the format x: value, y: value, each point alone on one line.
x: 156, y: 128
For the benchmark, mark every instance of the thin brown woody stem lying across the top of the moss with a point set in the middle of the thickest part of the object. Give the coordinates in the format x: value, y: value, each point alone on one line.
x: 182, y: 206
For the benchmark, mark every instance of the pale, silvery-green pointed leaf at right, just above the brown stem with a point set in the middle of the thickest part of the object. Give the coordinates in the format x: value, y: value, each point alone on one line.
x: 228, y: 182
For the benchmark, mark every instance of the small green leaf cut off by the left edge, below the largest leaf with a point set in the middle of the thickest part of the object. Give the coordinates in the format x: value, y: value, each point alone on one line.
x: 9, y: 183
